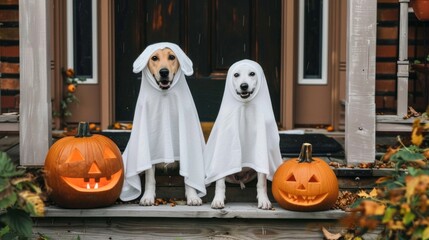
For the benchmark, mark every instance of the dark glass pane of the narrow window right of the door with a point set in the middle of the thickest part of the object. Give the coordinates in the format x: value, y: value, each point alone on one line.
x: 313, y: 36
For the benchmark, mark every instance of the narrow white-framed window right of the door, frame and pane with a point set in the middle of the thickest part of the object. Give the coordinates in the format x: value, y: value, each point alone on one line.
x: 313, y: 44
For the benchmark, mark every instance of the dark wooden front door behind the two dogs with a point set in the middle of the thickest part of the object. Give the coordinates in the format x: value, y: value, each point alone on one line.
x: 214, y: 34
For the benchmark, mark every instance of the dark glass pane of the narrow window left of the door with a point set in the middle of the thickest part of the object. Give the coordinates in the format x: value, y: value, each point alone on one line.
x: 82, y: 29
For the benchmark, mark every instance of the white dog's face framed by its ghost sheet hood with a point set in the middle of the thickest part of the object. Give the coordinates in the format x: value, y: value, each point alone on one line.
x: 244, y: 81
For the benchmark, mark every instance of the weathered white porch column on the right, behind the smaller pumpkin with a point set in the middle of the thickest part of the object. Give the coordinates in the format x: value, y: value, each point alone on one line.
x: 360, y: 84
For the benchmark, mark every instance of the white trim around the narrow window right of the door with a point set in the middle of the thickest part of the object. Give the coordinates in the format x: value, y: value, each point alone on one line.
x: 324, y: 79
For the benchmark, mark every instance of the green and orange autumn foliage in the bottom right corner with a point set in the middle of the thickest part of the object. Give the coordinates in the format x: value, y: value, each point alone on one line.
x: 400, y: 203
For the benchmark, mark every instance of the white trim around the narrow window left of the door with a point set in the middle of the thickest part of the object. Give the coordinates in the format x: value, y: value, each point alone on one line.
x: 70, y: 55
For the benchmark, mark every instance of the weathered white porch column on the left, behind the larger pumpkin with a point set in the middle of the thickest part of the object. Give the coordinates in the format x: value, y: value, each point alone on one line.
x: 35, y: 92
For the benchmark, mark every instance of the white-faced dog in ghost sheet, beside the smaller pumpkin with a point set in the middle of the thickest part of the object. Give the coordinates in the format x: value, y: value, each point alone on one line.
x: 245, y: 134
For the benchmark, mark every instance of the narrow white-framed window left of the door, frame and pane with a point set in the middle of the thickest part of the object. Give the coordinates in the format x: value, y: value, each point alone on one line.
x: 82, y: 38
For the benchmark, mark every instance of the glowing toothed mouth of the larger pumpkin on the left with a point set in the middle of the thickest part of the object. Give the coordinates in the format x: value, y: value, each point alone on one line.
x: 93, y: 184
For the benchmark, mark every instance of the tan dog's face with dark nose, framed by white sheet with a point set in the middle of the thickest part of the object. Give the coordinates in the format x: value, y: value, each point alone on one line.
x: 163, y: 65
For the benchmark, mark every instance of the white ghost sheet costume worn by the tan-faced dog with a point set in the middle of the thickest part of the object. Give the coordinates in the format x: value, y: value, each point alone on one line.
x: 166, y: 127
